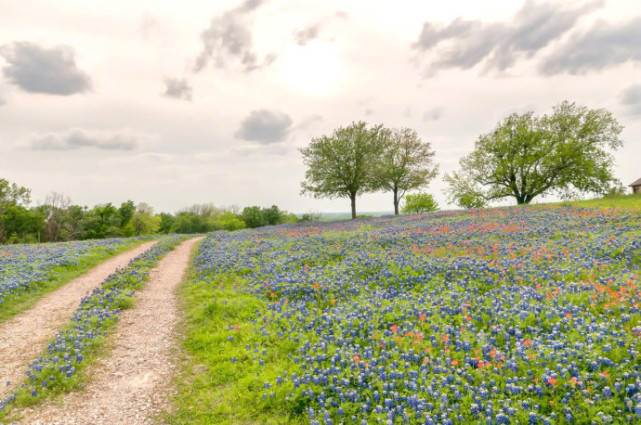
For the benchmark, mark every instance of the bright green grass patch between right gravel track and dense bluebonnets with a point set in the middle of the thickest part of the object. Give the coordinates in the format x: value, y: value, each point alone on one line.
x: 218, y: 383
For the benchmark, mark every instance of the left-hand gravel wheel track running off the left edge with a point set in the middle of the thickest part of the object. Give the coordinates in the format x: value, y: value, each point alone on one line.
x: 26, y: 335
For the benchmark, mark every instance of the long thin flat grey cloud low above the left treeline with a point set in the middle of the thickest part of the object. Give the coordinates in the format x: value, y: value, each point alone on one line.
x: 78, y: 139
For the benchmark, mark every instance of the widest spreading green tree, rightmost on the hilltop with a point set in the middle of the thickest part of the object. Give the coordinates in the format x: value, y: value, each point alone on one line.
x: 568, y: 151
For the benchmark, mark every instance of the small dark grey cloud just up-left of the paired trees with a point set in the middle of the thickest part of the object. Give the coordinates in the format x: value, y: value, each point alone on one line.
x: 265, y: 127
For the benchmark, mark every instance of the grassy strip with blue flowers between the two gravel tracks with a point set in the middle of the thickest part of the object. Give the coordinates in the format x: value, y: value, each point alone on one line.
x: 57, y: 368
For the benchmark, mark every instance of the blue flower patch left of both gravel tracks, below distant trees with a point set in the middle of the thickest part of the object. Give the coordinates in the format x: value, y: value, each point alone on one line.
x: 24, y: 266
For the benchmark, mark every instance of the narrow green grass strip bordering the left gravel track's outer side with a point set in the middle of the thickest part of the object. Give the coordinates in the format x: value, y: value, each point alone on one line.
x: 61, y: 275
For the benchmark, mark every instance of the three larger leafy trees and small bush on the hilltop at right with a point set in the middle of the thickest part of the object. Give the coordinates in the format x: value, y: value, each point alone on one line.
x: 567, y: 153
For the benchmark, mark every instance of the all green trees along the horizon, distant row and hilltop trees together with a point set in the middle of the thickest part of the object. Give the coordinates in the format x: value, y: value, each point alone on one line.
x: 566, y: 152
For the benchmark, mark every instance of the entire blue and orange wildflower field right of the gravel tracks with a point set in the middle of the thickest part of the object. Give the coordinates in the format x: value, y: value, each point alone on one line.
x: 502, y: 316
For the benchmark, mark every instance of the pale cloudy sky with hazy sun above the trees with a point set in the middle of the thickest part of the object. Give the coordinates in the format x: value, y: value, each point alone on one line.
x: 176, y: 103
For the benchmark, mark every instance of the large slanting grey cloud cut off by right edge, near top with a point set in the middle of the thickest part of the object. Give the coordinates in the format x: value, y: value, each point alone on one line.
x: 601, y: 46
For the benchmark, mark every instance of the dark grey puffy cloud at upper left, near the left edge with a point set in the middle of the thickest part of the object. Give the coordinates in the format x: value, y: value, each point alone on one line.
x: 37, y: 69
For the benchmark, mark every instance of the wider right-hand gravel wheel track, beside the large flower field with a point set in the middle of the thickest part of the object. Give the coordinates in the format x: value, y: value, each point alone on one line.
x: 131, y: 385
